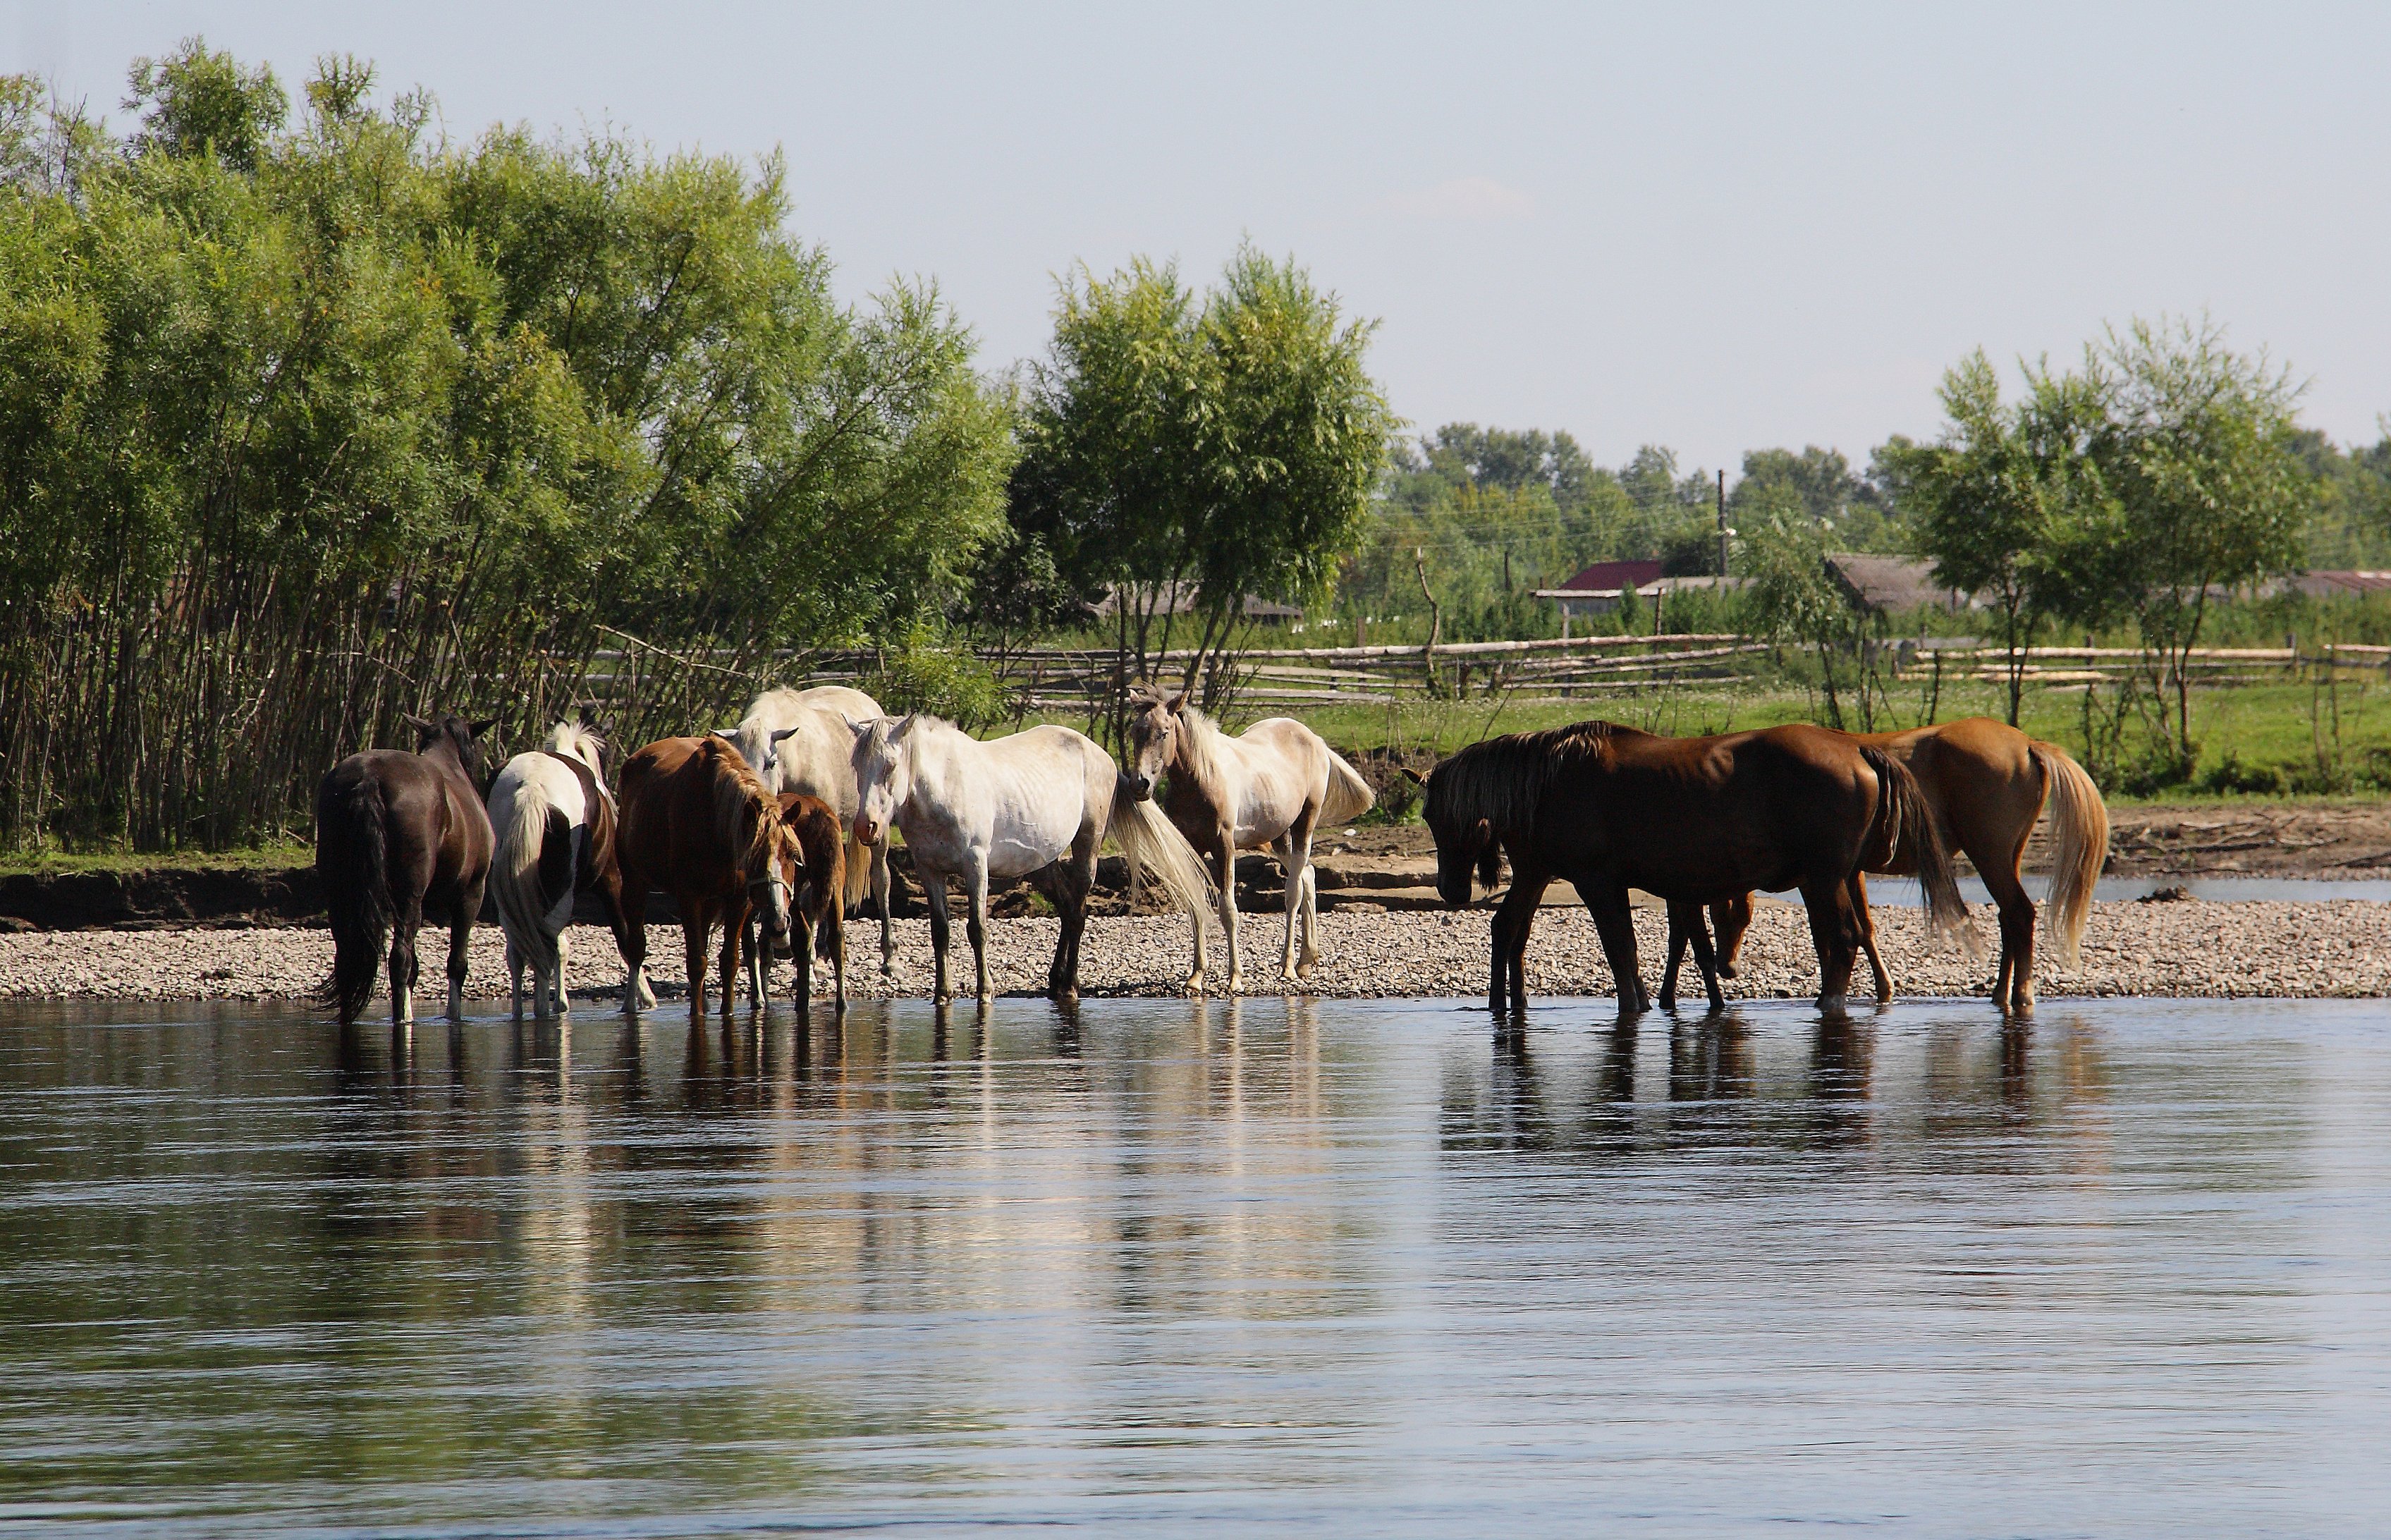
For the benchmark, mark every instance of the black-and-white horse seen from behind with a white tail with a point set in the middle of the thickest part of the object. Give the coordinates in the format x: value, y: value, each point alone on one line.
x: 556, y: 843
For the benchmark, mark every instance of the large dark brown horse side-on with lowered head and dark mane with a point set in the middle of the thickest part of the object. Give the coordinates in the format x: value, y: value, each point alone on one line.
x: 1687, y: 819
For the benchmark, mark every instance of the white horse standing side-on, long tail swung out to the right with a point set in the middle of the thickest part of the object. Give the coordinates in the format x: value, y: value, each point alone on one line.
x: 1005, y: 809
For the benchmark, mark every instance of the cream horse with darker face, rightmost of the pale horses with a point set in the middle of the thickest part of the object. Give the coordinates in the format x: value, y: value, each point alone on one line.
x: 1273, y: 783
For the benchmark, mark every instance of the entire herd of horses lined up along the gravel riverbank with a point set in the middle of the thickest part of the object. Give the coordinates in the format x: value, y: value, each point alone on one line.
x: 773, y: 833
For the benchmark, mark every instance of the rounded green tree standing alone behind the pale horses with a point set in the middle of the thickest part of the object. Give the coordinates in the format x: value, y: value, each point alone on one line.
x: 1211, y: 451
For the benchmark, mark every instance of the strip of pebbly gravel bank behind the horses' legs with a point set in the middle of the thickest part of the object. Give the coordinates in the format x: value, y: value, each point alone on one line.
x: 2187, y: 948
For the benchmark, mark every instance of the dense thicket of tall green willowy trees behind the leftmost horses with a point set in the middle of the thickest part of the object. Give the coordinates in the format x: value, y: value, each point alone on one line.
x: 305, y: 427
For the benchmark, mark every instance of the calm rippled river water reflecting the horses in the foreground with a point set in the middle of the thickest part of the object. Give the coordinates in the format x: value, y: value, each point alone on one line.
x: 1345, y: 1269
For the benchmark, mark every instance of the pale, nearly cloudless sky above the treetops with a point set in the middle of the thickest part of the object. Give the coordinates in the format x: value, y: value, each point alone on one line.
x: 1701, y: 226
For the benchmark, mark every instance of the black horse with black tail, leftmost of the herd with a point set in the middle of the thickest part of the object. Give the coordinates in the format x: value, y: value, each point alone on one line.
x: 393, y: 833
